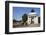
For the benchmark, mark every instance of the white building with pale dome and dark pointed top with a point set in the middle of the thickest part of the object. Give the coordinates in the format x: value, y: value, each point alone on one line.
x: 32, y: 18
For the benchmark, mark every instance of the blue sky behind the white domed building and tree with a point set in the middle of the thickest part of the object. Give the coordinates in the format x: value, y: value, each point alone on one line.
x: 19, y: 11
